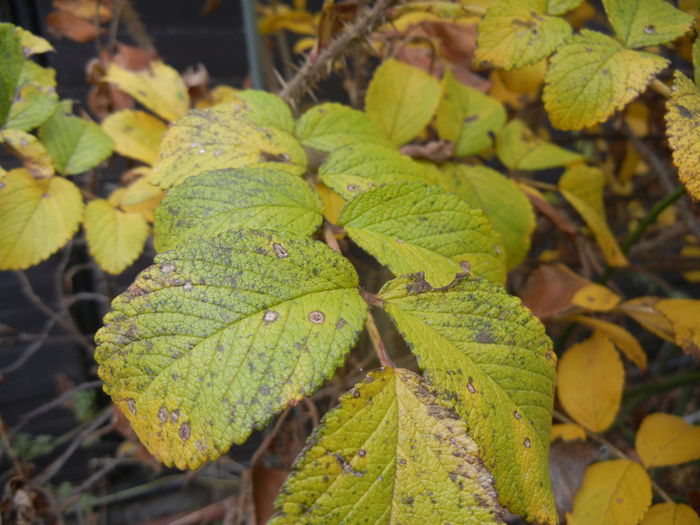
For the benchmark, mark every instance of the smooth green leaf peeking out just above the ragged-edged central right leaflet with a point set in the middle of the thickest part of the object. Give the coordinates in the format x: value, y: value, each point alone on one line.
x: 356, y: 168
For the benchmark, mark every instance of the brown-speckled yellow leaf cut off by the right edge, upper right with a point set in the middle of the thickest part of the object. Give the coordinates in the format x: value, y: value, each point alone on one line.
x: 683, y: 132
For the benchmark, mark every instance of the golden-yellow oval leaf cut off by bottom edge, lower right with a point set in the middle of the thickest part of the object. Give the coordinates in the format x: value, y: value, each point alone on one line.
x: 616, y: 492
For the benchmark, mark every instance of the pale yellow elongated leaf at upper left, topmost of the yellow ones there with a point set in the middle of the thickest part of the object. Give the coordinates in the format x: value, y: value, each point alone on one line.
x: 159, y: 88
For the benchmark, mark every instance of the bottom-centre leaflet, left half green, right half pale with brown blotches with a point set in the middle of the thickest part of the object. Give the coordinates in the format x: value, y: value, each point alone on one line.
x: 391, y: 452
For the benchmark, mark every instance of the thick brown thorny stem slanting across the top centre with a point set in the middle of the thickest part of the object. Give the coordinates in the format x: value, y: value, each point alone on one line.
x: 316, y: 68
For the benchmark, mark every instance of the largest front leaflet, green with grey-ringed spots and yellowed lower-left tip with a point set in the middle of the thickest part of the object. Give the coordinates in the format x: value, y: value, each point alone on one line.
x: 221, y: 334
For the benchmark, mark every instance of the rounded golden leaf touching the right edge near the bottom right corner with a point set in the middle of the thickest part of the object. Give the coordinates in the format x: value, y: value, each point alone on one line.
x: 665, y: 439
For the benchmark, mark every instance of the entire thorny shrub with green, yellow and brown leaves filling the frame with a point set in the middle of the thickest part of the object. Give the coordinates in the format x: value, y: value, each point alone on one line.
x: 262, y: 215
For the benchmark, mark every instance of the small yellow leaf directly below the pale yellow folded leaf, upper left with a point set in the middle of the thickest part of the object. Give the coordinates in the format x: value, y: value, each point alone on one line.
x: 137, y: 134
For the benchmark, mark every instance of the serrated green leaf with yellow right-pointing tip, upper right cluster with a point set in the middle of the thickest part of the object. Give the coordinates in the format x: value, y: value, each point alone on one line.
x: 593, y: 76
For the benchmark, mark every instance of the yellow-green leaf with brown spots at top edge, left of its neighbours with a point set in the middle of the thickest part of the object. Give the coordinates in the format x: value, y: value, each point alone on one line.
x: 516, y: 33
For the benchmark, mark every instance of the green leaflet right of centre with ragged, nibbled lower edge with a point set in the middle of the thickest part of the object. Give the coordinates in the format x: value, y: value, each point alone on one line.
x: 412, y: 227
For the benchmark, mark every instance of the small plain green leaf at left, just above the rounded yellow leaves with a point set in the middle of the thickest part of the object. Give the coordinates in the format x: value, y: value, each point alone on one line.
x: 75, y: 144
